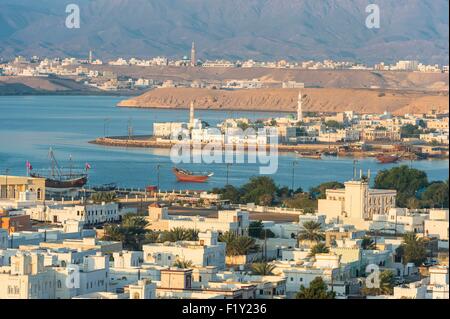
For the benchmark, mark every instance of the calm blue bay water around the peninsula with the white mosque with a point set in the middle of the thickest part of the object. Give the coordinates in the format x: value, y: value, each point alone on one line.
x: 30, y: 125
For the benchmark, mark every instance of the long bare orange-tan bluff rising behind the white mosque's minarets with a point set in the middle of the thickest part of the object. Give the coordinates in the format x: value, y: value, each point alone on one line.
x: 285, y: 100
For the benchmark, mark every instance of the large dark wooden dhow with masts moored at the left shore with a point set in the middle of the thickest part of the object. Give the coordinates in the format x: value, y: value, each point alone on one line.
x: 59, y: 179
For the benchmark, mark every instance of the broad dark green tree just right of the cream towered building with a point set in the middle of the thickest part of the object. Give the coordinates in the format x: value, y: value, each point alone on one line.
x: 406, y: 181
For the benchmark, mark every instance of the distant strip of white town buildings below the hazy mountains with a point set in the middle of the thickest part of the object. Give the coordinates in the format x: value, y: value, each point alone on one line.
x: 86, y: 71
